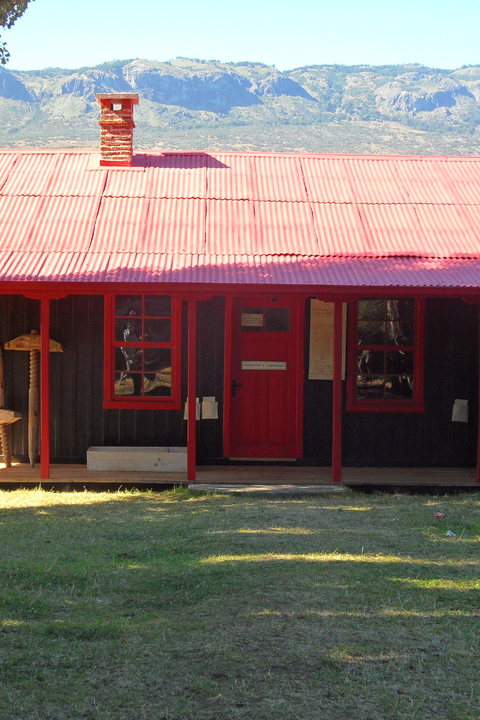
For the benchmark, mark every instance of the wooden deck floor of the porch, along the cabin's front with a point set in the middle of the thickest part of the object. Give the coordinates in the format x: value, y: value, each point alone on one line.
x: 77, y: 475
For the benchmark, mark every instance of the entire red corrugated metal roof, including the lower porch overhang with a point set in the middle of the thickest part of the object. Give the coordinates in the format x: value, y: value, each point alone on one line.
x: 241, y: 217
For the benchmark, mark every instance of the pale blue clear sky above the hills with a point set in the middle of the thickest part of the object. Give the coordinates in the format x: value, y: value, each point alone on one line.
x: 75, y: 33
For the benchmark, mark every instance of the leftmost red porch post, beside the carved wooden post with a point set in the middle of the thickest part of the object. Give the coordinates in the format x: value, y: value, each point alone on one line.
x: 45, y: 388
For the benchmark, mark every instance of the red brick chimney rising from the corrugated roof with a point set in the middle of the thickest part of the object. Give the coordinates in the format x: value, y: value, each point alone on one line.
x: 116, y: 123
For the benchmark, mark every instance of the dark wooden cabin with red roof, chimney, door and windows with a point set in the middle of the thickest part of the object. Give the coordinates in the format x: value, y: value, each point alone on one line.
x: 254, y: 308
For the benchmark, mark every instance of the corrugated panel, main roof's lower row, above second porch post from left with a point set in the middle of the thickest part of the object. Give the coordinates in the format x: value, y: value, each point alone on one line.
x: 174, y: 226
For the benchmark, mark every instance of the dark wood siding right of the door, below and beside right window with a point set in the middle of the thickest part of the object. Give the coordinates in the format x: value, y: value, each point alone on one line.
x: 424, y: 439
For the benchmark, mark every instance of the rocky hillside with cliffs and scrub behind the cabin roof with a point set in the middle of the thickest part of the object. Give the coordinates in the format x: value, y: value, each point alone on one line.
x: 190, y: 104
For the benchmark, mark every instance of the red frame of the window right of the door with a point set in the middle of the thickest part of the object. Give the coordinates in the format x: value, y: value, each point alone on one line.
x: 414, y: 404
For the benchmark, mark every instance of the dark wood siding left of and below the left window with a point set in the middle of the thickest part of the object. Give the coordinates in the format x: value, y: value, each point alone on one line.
x: 78, y: 417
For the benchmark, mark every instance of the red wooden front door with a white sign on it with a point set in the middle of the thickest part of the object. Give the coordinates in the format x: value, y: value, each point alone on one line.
x: 265, y: 382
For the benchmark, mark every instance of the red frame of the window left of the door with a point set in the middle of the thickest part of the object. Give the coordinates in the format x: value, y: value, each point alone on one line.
x: 112, y: 401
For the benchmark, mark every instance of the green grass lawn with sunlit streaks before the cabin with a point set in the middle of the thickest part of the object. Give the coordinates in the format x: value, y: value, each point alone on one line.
x: 179, y: 606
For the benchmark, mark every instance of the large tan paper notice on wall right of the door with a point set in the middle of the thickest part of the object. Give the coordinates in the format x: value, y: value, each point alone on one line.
x: 320, y: 365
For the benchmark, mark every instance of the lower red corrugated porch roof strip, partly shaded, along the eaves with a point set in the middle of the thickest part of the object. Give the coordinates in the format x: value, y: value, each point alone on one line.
x: 345, y: 272
